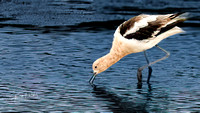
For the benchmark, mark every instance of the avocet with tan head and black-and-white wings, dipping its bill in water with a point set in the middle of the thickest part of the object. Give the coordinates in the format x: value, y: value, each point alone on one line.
x: 137, y: 35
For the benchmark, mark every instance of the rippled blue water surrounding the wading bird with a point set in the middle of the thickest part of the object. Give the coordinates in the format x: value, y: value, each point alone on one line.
x: 45, y: 60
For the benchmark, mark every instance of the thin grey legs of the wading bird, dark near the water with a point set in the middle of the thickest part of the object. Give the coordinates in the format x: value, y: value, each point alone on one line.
x: 139, y: 73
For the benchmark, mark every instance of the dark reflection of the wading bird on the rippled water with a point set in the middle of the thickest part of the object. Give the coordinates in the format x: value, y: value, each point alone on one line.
x: 121, y: 104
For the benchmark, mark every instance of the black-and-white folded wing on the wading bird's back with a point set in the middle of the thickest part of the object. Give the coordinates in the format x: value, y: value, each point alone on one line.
x: 149, y: 26
